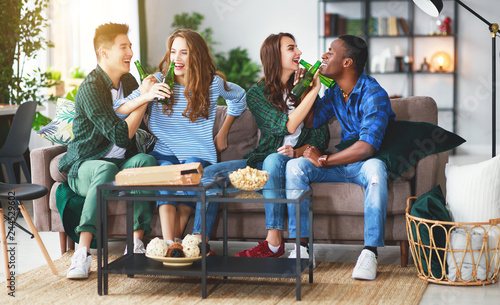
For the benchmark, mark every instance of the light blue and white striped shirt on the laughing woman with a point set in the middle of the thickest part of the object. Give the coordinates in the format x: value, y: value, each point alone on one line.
x: 178, y: 136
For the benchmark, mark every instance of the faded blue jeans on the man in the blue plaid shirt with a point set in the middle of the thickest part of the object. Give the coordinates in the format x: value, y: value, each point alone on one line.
x: 370, y: 174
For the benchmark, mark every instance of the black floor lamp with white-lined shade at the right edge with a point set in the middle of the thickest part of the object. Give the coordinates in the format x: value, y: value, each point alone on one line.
x: 433, y: 8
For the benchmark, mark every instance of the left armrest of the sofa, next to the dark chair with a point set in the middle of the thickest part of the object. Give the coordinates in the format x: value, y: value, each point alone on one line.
x: 40, y: 174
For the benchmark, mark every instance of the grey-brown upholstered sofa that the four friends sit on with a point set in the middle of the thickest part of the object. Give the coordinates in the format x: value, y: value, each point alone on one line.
x: 338, y: 207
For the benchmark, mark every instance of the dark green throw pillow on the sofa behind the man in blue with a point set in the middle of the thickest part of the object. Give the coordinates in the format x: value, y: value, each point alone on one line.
x: 406, y: 142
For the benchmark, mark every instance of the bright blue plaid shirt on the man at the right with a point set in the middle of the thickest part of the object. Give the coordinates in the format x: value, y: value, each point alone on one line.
x: 365, y: 114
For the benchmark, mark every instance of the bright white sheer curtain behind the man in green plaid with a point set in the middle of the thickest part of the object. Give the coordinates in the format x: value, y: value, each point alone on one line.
x: 72, y: 28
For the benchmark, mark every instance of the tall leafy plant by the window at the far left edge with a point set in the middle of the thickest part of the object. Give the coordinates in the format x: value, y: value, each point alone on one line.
x: 22, y: 23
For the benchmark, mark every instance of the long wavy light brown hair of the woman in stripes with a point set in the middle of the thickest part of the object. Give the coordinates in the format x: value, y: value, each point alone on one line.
x: 198, y: 76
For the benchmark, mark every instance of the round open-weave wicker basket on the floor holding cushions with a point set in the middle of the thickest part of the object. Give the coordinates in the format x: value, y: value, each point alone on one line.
x: 485, y: 257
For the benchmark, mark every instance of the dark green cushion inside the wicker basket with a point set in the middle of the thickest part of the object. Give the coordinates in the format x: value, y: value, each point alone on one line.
x: 431, y: 206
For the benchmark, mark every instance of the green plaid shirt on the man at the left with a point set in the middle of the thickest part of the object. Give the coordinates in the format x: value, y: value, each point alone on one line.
x: 95, y: 125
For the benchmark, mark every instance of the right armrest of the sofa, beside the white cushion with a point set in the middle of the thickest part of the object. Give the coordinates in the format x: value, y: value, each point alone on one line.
x: 429, y: 172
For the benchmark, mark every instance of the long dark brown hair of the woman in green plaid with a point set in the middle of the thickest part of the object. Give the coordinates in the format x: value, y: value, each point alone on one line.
x: 270, y: 56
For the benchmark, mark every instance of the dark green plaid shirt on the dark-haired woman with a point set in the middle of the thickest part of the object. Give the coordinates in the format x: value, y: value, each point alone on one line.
x: 272, y: 125
